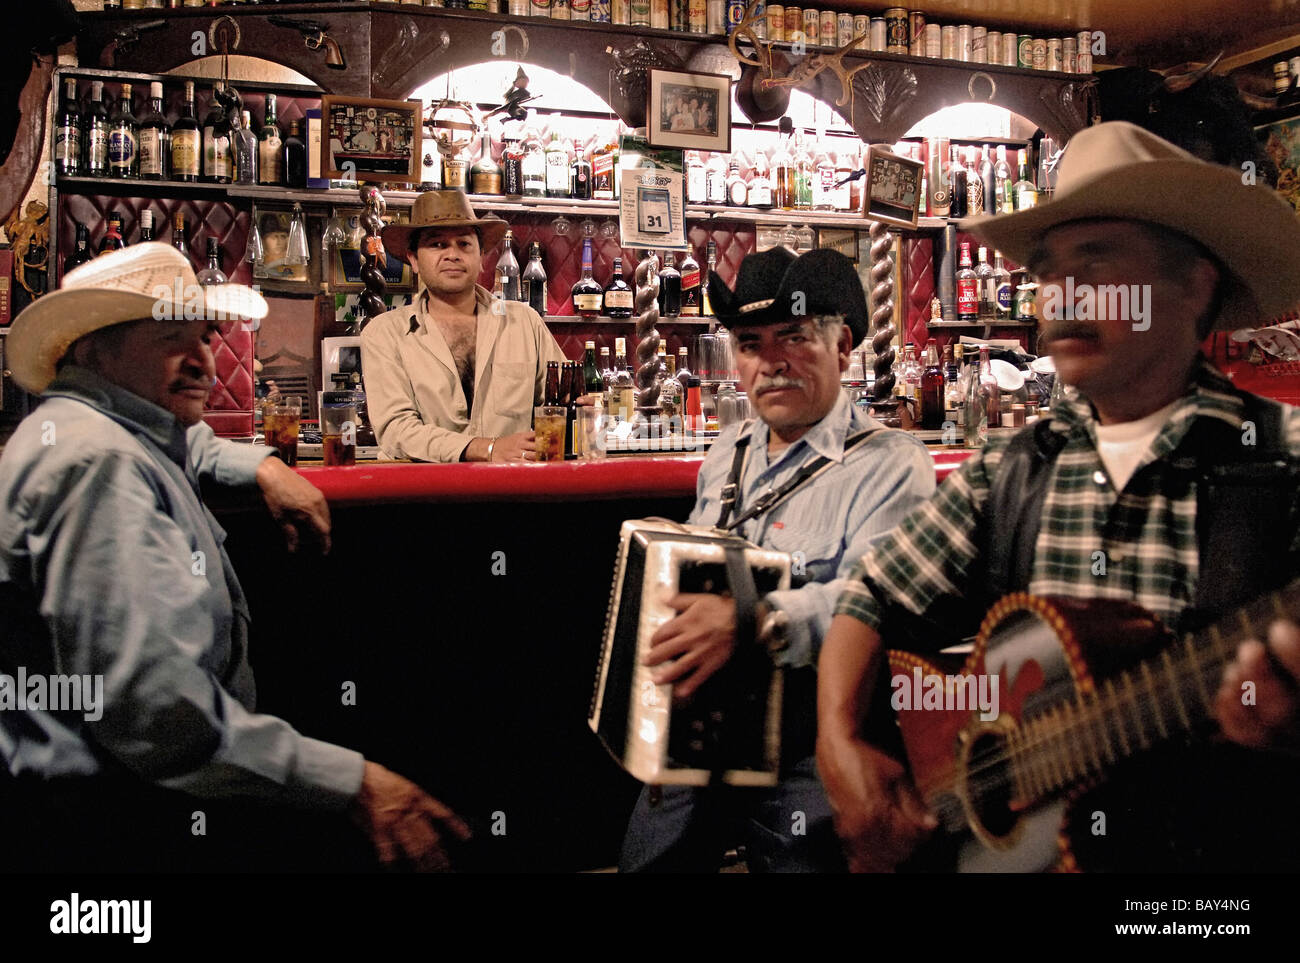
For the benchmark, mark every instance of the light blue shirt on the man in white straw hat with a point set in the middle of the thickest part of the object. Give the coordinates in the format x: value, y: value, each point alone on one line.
x: 111, y: 565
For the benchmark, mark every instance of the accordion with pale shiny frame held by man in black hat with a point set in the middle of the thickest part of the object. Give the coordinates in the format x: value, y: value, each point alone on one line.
x: 730, y: 731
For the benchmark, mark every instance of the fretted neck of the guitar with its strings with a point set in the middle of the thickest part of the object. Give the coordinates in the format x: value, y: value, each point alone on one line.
x: 1159, y: 700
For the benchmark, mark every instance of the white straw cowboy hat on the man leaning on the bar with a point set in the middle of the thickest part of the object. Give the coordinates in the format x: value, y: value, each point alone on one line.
x: 144, y: 281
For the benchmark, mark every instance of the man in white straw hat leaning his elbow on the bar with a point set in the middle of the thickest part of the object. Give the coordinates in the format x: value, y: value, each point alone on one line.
x: 114, y: 572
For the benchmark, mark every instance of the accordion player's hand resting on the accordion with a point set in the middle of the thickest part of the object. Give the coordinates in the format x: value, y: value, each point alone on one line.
x: 701, y: 640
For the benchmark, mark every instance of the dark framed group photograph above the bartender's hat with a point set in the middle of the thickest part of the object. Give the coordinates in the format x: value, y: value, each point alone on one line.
x: 365, y: 140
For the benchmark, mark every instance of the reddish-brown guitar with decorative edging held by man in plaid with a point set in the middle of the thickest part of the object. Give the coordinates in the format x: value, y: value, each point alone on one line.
x: 1072, y: 704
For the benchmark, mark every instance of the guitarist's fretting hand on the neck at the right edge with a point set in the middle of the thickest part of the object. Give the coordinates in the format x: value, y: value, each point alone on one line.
x: 1271, y: 717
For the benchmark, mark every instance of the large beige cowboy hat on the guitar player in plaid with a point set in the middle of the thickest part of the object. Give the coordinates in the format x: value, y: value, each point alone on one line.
x: 1121, y: 171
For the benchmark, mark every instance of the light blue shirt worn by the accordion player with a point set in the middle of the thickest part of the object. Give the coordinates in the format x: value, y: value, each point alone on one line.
x: 831, y: 520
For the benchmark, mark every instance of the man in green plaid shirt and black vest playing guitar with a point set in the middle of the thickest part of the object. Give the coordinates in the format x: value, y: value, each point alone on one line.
x: 1159, y: 484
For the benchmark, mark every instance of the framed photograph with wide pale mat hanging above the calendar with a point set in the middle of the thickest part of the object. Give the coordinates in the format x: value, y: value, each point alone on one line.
x: 690, y: 111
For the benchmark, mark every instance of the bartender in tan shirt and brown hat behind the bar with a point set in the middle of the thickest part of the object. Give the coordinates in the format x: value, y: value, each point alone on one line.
x: 454, y: 378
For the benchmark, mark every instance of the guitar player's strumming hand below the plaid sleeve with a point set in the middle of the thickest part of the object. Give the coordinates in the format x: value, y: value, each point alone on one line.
x: 878, y: 813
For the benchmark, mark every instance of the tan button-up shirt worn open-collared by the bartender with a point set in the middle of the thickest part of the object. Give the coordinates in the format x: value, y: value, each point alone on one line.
x: 413, y: 388
